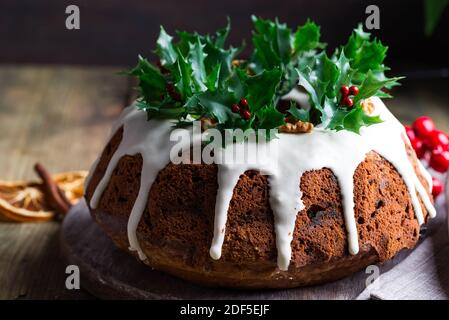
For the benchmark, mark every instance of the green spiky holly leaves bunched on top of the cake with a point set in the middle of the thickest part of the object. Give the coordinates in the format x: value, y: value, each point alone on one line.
x: 197, y: 76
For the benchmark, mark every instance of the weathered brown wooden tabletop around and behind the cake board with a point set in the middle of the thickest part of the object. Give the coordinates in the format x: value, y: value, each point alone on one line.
x: 61, y: 116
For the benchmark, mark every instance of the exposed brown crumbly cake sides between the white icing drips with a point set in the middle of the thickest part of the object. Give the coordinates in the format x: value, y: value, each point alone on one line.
x: 176, y: 228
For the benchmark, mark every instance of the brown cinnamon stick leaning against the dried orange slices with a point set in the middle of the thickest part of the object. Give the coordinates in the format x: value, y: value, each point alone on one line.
x: 55, y: 195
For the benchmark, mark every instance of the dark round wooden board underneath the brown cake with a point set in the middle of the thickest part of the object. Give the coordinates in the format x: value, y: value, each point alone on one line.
x: 110, y: 273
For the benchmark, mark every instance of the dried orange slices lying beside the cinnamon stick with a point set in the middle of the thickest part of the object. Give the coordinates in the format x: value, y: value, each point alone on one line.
x: 25, y: 201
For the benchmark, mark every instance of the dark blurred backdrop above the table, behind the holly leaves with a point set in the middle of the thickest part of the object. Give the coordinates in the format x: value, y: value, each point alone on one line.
x: 114, y: 32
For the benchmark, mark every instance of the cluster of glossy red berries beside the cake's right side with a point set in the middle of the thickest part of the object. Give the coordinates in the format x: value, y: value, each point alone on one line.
x: 431, y: 144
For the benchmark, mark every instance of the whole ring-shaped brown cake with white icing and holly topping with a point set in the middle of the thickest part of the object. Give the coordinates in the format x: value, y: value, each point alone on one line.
x: 320, y: 203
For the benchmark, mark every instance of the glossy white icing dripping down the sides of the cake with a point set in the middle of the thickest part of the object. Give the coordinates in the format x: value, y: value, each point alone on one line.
x: 296, y: 154
